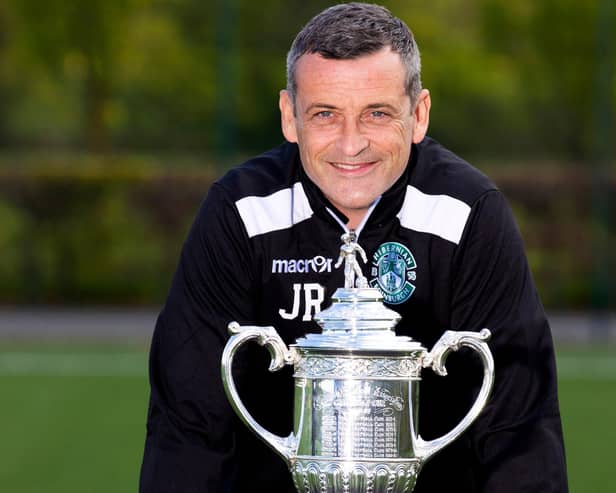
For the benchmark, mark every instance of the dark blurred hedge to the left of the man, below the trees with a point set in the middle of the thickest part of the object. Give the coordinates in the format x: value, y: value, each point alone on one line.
x: 88, y: 234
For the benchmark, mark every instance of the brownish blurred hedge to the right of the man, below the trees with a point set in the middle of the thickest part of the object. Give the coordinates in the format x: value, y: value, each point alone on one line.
x: 567, y: 242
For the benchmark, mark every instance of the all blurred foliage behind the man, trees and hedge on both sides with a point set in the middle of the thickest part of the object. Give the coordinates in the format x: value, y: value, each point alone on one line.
x: 508, y: 80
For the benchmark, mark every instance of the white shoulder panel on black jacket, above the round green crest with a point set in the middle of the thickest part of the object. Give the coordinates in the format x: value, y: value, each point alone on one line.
x: 440, y: 215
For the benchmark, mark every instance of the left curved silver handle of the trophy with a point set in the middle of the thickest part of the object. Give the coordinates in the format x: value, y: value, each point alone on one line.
x: 281, y: 356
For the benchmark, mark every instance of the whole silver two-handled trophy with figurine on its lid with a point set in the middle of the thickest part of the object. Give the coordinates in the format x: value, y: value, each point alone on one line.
x: 356, y: 392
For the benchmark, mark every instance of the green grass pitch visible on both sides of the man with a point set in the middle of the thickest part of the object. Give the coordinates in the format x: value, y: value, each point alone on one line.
x: 72, y: 419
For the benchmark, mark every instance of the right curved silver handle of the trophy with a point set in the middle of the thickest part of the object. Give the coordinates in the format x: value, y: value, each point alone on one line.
x: 452, y: 340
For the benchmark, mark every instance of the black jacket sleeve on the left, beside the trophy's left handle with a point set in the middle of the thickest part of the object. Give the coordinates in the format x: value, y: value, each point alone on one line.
x: 189, y: 439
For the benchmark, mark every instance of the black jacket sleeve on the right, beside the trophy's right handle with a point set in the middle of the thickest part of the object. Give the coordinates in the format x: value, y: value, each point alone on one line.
x: 518, y: 437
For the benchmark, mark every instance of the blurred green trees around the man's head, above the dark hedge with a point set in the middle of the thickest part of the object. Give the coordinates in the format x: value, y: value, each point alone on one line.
x: 516, y: 78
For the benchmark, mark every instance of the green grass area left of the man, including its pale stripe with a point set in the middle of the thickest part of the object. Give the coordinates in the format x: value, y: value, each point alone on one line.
x: 72, y: 420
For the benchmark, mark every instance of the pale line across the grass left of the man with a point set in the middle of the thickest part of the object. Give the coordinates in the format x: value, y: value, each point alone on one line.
x: 74, y: 364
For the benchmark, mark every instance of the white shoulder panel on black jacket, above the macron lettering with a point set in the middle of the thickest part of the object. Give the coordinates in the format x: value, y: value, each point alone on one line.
x: 281, y: 210
